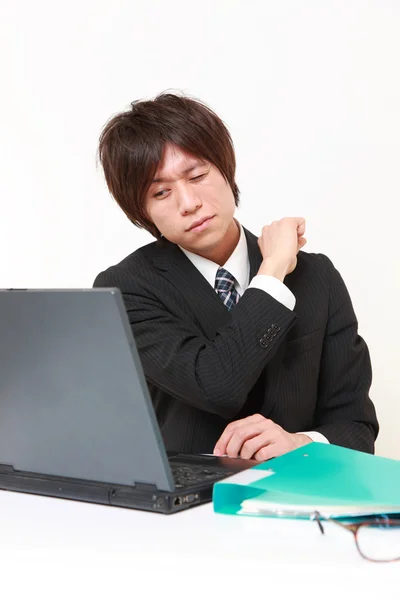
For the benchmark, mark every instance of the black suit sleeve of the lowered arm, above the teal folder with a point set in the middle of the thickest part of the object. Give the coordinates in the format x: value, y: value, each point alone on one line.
x: 346, y: 415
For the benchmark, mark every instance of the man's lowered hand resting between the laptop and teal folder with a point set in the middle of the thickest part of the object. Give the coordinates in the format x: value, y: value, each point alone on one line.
x: 259, y: 438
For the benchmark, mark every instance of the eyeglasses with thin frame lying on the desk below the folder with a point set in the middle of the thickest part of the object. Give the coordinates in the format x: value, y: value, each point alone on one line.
x: 377, y: 539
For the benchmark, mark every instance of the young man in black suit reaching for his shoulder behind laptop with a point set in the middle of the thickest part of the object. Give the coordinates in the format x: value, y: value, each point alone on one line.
x: 249, y: 347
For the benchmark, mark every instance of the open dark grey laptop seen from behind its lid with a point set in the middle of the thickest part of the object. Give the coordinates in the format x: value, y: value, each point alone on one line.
x: 76, y: 416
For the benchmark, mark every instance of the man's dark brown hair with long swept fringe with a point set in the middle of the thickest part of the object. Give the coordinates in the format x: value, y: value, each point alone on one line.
x: 132, y: 142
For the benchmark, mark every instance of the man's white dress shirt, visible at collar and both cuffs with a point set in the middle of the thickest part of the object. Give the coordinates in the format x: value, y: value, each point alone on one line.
x: 238, y: 265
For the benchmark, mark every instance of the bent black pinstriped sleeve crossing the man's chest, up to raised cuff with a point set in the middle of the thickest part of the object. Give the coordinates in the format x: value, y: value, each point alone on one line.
x: 212, y: 375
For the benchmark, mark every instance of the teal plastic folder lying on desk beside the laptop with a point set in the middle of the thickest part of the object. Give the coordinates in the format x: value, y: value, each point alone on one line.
x: 335, y: 481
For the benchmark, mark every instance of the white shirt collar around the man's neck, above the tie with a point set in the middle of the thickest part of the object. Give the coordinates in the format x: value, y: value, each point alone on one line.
x: 237, y: 264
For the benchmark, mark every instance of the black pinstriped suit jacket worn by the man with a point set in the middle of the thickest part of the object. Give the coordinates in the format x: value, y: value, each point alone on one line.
x: 306, y: 369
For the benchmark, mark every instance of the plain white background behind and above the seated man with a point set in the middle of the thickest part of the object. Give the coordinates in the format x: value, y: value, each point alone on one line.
x: 310, y: 91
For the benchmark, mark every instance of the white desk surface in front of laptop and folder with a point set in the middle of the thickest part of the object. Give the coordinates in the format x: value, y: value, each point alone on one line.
x: 51, y: 548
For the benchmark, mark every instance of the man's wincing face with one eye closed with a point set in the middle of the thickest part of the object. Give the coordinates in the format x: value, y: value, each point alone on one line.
x: 191, y: 204
